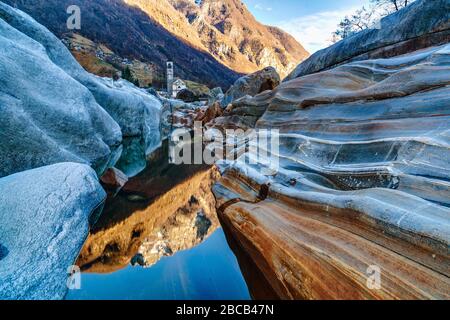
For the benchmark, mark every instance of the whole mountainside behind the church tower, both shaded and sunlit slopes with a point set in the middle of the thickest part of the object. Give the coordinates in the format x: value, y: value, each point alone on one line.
x: 220, y: 38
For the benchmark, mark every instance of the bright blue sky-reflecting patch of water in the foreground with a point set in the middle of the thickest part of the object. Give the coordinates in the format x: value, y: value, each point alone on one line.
x: 208, y: 271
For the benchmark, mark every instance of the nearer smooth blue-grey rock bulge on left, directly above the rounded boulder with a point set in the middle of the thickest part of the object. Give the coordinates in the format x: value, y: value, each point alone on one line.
x: 45, y: 115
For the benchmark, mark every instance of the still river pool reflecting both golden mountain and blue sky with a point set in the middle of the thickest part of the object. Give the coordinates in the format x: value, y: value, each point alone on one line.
x: 160, y: 238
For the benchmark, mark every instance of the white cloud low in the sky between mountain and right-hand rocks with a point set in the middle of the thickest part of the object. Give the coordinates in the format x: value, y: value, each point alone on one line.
x: 315, y: 31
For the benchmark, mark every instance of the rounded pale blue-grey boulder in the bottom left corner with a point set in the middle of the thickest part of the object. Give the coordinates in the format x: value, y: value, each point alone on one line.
x: 44, y: 216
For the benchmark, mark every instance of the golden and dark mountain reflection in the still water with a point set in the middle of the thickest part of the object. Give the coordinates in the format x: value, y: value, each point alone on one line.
x: 163, y: 210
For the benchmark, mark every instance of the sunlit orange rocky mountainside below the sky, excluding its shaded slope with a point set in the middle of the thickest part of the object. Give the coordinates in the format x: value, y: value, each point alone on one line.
x: 230, y: 32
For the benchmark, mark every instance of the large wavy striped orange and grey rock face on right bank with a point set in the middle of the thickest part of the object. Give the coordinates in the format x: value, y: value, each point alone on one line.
x: 363, y: 181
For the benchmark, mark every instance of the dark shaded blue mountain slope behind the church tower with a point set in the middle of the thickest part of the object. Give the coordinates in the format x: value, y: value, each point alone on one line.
x: 133, y: 34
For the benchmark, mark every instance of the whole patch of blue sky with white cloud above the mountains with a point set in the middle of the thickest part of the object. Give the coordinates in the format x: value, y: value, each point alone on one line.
x: 311, y: 22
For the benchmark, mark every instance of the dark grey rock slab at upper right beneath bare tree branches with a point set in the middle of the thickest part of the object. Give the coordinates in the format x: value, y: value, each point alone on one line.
x: 422, y: 24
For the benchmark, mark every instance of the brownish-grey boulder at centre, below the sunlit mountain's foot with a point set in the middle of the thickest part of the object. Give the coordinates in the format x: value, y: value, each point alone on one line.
x: 251, y: 85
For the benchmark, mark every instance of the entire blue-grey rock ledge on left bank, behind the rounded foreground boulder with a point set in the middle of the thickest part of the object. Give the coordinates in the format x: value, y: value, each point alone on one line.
x: 62, y: 112
